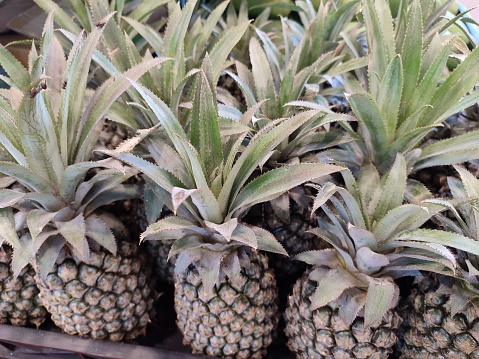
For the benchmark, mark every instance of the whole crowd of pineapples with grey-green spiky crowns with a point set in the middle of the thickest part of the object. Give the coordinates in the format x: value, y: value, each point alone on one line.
x: 231, y: 172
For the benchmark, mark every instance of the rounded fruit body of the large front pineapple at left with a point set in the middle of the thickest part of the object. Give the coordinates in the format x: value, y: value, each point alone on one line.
x: 108, y: 298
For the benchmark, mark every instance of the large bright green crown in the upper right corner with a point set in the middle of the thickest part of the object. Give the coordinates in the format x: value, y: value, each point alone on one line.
x: 406, y: 95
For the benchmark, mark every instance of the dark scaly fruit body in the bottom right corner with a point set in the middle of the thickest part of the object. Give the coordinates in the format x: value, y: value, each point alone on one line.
x: 430, y: 331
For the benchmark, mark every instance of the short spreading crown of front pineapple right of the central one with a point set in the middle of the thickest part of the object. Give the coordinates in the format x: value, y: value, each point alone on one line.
x: 375, y: 239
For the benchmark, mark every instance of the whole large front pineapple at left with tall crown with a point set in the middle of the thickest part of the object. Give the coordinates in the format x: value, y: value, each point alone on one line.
x: 91, y: 278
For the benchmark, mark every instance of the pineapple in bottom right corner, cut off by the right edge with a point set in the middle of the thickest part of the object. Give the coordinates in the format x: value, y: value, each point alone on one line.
x: 441, y: 315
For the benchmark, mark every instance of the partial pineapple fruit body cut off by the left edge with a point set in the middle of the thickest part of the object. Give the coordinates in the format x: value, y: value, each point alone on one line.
x: 19, y: 301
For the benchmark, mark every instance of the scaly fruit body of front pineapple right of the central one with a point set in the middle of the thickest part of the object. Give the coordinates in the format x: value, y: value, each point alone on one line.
x: 321, y: 334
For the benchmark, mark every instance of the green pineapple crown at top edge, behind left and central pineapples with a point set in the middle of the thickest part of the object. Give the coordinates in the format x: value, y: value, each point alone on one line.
x: 129, y: 36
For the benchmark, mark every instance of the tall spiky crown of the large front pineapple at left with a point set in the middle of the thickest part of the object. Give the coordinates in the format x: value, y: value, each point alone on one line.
x: 50, y: 125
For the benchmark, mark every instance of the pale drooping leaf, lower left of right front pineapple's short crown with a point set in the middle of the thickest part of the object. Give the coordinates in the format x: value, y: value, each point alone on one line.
x: 332, y: 286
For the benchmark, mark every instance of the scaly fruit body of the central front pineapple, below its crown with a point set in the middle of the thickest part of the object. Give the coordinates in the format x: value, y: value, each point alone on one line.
x: 235, y: 322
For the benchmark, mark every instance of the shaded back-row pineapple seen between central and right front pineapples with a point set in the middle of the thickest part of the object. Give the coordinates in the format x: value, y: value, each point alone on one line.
x: 276, y: 89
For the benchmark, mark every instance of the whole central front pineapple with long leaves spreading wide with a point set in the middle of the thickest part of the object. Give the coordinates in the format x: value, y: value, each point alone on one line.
x: 225, y: 293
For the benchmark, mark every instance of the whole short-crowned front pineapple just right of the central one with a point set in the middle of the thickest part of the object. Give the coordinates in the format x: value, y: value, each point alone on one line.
x: 345, y: 306
